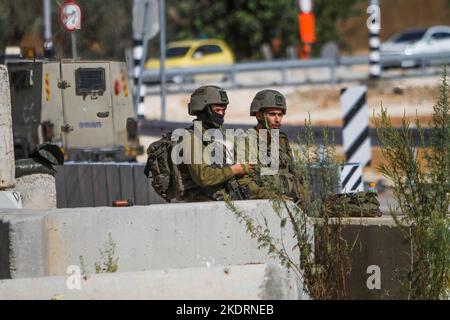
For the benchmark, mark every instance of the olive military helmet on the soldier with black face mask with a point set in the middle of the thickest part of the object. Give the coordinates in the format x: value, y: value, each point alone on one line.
x: 206, y: 96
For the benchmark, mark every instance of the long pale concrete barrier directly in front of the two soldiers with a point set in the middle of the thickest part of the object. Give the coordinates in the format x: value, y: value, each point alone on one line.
x: 46, y: 242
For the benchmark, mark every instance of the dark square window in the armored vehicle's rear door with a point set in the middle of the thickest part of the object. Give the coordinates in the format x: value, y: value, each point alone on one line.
x: 89, y: 80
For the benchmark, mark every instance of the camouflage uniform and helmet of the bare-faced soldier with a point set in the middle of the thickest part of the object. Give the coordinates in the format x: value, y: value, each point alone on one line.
x: 286, y: 180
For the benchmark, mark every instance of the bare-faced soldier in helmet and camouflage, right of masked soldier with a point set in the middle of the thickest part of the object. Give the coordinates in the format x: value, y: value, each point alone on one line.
x: 269, y: 107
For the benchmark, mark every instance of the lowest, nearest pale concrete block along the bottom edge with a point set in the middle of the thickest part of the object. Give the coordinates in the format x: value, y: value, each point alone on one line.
x: 251, y: 282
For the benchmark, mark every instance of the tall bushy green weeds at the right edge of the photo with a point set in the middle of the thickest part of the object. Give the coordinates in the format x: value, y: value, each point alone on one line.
x: 421, y: 185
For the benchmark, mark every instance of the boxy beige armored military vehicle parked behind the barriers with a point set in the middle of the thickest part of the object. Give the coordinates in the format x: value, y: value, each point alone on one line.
x: 85, y: 107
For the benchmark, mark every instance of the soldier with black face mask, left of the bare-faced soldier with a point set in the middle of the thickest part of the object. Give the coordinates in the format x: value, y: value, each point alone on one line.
x: 208, y: 104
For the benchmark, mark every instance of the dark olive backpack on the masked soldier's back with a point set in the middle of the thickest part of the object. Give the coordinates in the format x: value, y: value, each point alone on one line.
x: 169, y: 181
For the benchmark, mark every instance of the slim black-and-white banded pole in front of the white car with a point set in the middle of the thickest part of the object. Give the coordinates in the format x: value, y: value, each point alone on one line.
x: 374, y: 26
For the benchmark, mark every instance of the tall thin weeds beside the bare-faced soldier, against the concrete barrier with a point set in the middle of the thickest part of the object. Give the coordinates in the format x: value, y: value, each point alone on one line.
x: 320, y: 257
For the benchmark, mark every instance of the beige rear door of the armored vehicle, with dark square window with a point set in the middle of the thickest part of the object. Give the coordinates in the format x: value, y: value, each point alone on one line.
x: 88, y: 110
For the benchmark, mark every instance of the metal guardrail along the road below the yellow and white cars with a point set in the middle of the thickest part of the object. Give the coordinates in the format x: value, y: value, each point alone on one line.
x: 283, y: 66
